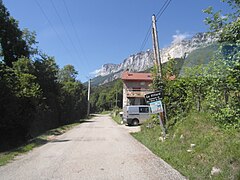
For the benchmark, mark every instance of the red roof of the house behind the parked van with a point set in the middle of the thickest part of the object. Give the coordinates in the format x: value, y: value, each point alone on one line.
x: 136, y: 76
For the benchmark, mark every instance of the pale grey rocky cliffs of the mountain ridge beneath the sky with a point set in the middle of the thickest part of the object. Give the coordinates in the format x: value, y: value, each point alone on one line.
x: 144, y: 60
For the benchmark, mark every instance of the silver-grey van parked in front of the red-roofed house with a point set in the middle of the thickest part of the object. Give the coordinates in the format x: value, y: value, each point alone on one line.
x: 134, y: 115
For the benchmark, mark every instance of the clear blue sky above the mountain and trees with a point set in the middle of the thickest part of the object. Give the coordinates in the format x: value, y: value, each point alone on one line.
x: 90, y: 33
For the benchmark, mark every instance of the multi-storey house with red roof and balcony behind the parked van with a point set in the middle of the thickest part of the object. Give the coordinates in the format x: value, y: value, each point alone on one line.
x: 135, y: 86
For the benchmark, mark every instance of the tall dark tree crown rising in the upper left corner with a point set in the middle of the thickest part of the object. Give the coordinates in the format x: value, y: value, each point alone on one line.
x: 12, y: 44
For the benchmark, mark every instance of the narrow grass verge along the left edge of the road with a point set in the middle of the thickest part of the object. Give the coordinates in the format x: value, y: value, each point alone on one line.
x: 8, y: 156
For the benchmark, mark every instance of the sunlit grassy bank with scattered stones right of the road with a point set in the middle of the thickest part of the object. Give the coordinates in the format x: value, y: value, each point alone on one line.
x: 211, y: 147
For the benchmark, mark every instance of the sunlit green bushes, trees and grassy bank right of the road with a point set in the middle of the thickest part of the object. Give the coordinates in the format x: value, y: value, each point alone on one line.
x: 203, y: 107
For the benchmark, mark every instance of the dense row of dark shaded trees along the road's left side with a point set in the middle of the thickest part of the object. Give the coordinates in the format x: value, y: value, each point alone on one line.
x: 35, y: 94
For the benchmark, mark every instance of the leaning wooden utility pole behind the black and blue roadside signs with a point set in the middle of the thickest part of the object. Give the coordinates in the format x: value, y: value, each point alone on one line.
x: 158, y: 63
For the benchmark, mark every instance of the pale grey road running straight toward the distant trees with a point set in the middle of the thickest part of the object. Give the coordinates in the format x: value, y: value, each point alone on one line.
x: 97, y: 149
